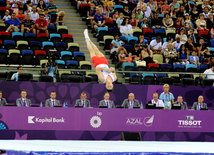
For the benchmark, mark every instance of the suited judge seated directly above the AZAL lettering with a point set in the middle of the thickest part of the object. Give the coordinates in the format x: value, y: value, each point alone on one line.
x: 130, y: 102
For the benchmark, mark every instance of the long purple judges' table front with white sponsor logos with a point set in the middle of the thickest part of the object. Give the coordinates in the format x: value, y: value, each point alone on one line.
x: 79, y: 123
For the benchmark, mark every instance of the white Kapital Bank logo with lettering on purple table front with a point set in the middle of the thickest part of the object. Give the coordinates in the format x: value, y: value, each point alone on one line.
x: 33, y: 119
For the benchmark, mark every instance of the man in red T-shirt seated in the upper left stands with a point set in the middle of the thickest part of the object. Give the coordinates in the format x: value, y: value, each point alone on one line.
x: 41, y: 25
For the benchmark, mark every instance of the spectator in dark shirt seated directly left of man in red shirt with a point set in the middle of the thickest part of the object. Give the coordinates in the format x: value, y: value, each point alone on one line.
x: 27, y: 25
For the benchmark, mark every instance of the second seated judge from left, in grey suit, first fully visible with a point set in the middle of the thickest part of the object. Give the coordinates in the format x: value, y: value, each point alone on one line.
x: 23, y: 101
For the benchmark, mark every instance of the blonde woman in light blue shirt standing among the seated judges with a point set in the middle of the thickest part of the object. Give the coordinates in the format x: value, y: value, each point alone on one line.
x: 167, y: 97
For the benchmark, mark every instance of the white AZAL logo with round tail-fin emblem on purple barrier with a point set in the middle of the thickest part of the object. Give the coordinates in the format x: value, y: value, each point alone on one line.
x: 147, y: 121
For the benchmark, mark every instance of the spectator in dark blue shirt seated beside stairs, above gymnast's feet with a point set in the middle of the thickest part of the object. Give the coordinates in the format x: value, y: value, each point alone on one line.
x: 98, y: 20
